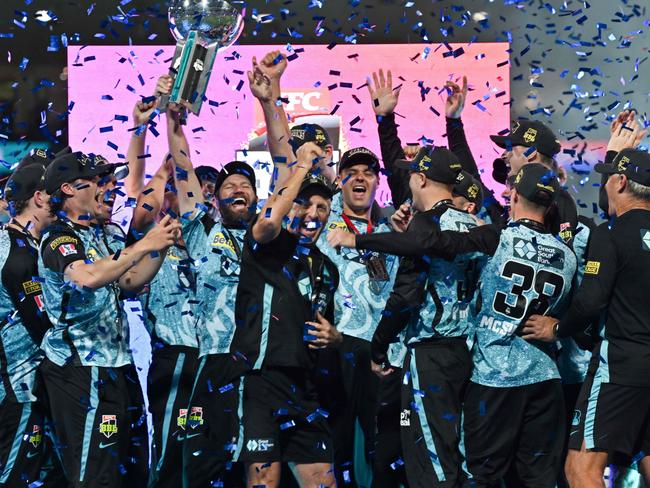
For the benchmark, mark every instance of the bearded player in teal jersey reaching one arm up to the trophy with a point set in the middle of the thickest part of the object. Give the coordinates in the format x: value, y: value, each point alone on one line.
x: 210, y: 422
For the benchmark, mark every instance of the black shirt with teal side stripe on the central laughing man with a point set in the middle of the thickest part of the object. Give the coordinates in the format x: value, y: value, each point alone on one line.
x: 281, y: 285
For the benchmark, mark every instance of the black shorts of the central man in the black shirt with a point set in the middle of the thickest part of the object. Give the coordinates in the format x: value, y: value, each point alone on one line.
x: 283, y: 420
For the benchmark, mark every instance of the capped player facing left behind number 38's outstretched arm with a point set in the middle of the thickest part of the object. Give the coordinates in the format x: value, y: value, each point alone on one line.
x: 437, y: 334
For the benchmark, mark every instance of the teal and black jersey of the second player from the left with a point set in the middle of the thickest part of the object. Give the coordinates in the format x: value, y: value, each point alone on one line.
x: 89, y: 326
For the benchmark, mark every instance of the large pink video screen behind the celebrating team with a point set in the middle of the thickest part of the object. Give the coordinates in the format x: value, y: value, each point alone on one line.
x: 322, y: 84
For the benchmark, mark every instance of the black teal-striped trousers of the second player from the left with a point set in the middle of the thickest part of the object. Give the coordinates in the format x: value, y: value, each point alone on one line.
x: 99, y: 424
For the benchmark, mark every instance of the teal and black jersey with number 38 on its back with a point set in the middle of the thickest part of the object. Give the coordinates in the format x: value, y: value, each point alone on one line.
x: 529, y: 271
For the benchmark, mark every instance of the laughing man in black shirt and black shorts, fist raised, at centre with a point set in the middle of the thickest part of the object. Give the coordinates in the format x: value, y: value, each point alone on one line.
x: 284, y: 315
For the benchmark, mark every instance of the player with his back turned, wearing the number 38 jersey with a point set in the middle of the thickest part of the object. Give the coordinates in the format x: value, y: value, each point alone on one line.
x: 527, y: 271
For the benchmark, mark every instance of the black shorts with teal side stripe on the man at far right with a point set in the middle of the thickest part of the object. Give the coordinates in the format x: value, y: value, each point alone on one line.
x: 611, y: 418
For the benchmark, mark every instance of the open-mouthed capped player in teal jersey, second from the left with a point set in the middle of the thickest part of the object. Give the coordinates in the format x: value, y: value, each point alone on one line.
x: 89, y: 380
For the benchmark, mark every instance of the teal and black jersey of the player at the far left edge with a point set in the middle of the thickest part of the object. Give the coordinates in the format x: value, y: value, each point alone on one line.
x: 23, y: 320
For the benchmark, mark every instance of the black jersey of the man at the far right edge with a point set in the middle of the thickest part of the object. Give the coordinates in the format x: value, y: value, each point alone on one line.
x: 615, y: 279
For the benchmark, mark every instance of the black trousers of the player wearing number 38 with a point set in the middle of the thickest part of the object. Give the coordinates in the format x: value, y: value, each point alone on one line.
x: 514, y: 434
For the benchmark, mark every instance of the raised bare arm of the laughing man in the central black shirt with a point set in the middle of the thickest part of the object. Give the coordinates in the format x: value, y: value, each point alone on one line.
x: 269, y: 224
